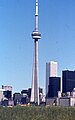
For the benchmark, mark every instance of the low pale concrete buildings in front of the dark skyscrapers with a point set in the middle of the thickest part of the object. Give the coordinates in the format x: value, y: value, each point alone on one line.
x: 67, y: 99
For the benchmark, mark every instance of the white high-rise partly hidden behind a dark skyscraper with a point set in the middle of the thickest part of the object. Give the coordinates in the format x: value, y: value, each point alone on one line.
x: 51, y: 71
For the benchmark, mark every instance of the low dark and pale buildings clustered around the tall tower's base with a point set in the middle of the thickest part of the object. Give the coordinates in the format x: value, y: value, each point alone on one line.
x: 23, y: 98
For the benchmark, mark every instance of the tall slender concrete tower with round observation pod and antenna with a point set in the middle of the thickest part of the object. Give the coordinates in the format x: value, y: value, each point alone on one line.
x: 35, y: 82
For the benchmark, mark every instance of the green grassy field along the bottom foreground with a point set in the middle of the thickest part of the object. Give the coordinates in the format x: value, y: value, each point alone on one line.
x: 37, y: 113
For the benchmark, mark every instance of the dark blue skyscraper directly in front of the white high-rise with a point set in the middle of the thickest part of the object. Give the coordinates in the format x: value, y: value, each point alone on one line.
x: 54, y: 86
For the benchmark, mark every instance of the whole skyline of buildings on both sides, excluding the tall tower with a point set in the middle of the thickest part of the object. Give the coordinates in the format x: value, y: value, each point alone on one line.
x: 59, y: 90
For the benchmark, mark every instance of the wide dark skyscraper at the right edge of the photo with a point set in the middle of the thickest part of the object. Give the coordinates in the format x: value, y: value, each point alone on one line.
x: 68, y: 81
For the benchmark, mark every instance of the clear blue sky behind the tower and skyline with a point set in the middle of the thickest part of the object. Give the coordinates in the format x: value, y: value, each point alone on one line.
x: 57, y: 27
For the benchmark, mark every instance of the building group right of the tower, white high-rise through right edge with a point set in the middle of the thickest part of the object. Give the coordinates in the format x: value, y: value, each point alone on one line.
x: 59, y: 90
